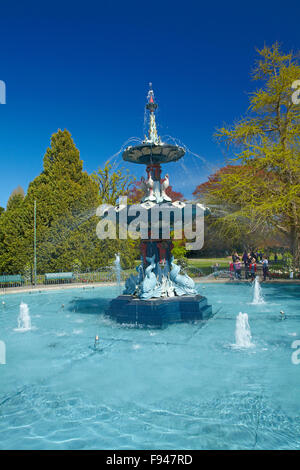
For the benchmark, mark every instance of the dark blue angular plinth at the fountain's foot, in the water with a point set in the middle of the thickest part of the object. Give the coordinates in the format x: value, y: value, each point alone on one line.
x: 159, y: 312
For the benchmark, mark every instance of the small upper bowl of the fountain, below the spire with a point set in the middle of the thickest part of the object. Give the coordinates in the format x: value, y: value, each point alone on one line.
x: 149, y: 153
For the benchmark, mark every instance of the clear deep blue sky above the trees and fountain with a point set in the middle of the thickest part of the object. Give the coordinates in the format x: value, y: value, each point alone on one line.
x: 86, y: 65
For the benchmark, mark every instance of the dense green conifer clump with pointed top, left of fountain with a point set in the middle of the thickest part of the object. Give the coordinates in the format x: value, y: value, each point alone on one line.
x: 65, y: 194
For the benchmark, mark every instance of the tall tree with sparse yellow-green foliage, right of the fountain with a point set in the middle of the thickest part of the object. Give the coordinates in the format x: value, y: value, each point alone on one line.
x: 264, y: 189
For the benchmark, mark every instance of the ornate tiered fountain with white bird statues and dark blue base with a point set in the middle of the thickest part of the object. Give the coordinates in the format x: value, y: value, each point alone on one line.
x: 159, y: 294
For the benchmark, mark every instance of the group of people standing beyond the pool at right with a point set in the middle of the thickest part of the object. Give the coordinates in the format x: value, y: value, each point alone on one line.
x: 250, y: 261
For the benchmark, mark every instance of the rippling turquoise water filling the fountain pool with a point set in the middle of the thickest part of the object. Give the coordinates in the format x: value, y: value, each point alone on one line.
x: 184, y: 387
